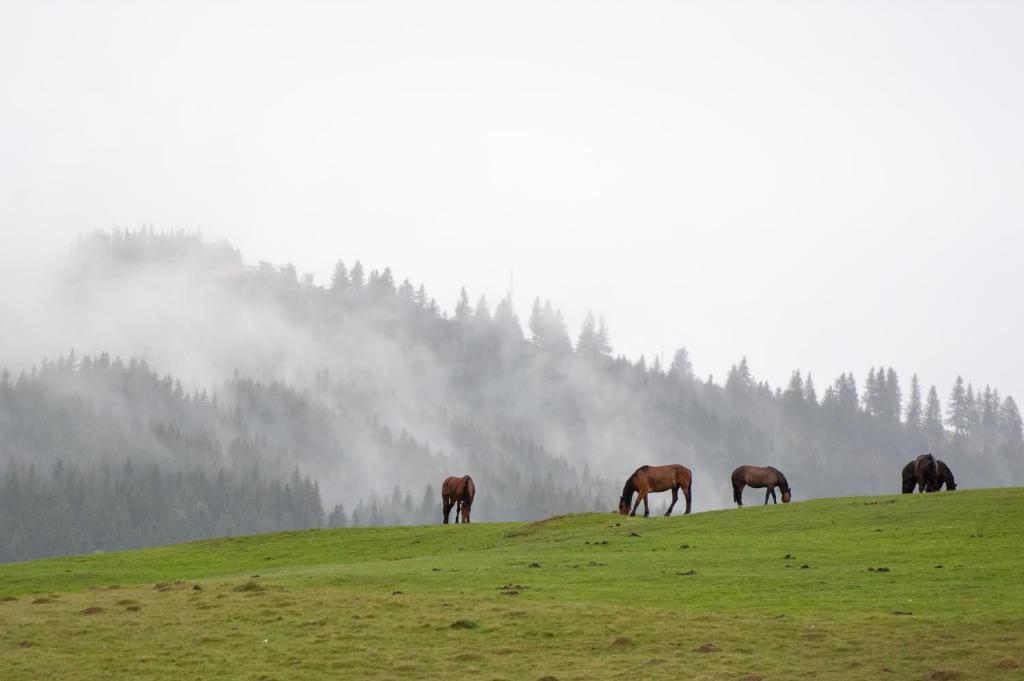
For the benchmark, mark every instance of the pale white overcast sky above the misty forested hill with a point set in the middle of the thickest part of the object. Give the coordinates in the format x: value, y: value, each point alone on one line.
x: 824, y: 186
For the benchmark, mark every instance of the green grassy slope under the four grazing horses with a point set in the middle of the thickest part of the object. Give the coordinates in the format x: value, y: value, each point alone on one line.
x: 783, y: 592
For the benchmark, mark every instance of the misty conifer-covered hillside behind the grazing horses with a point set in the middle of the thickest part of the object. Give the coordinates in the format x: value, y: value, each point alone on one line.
x: 159, y: 389
